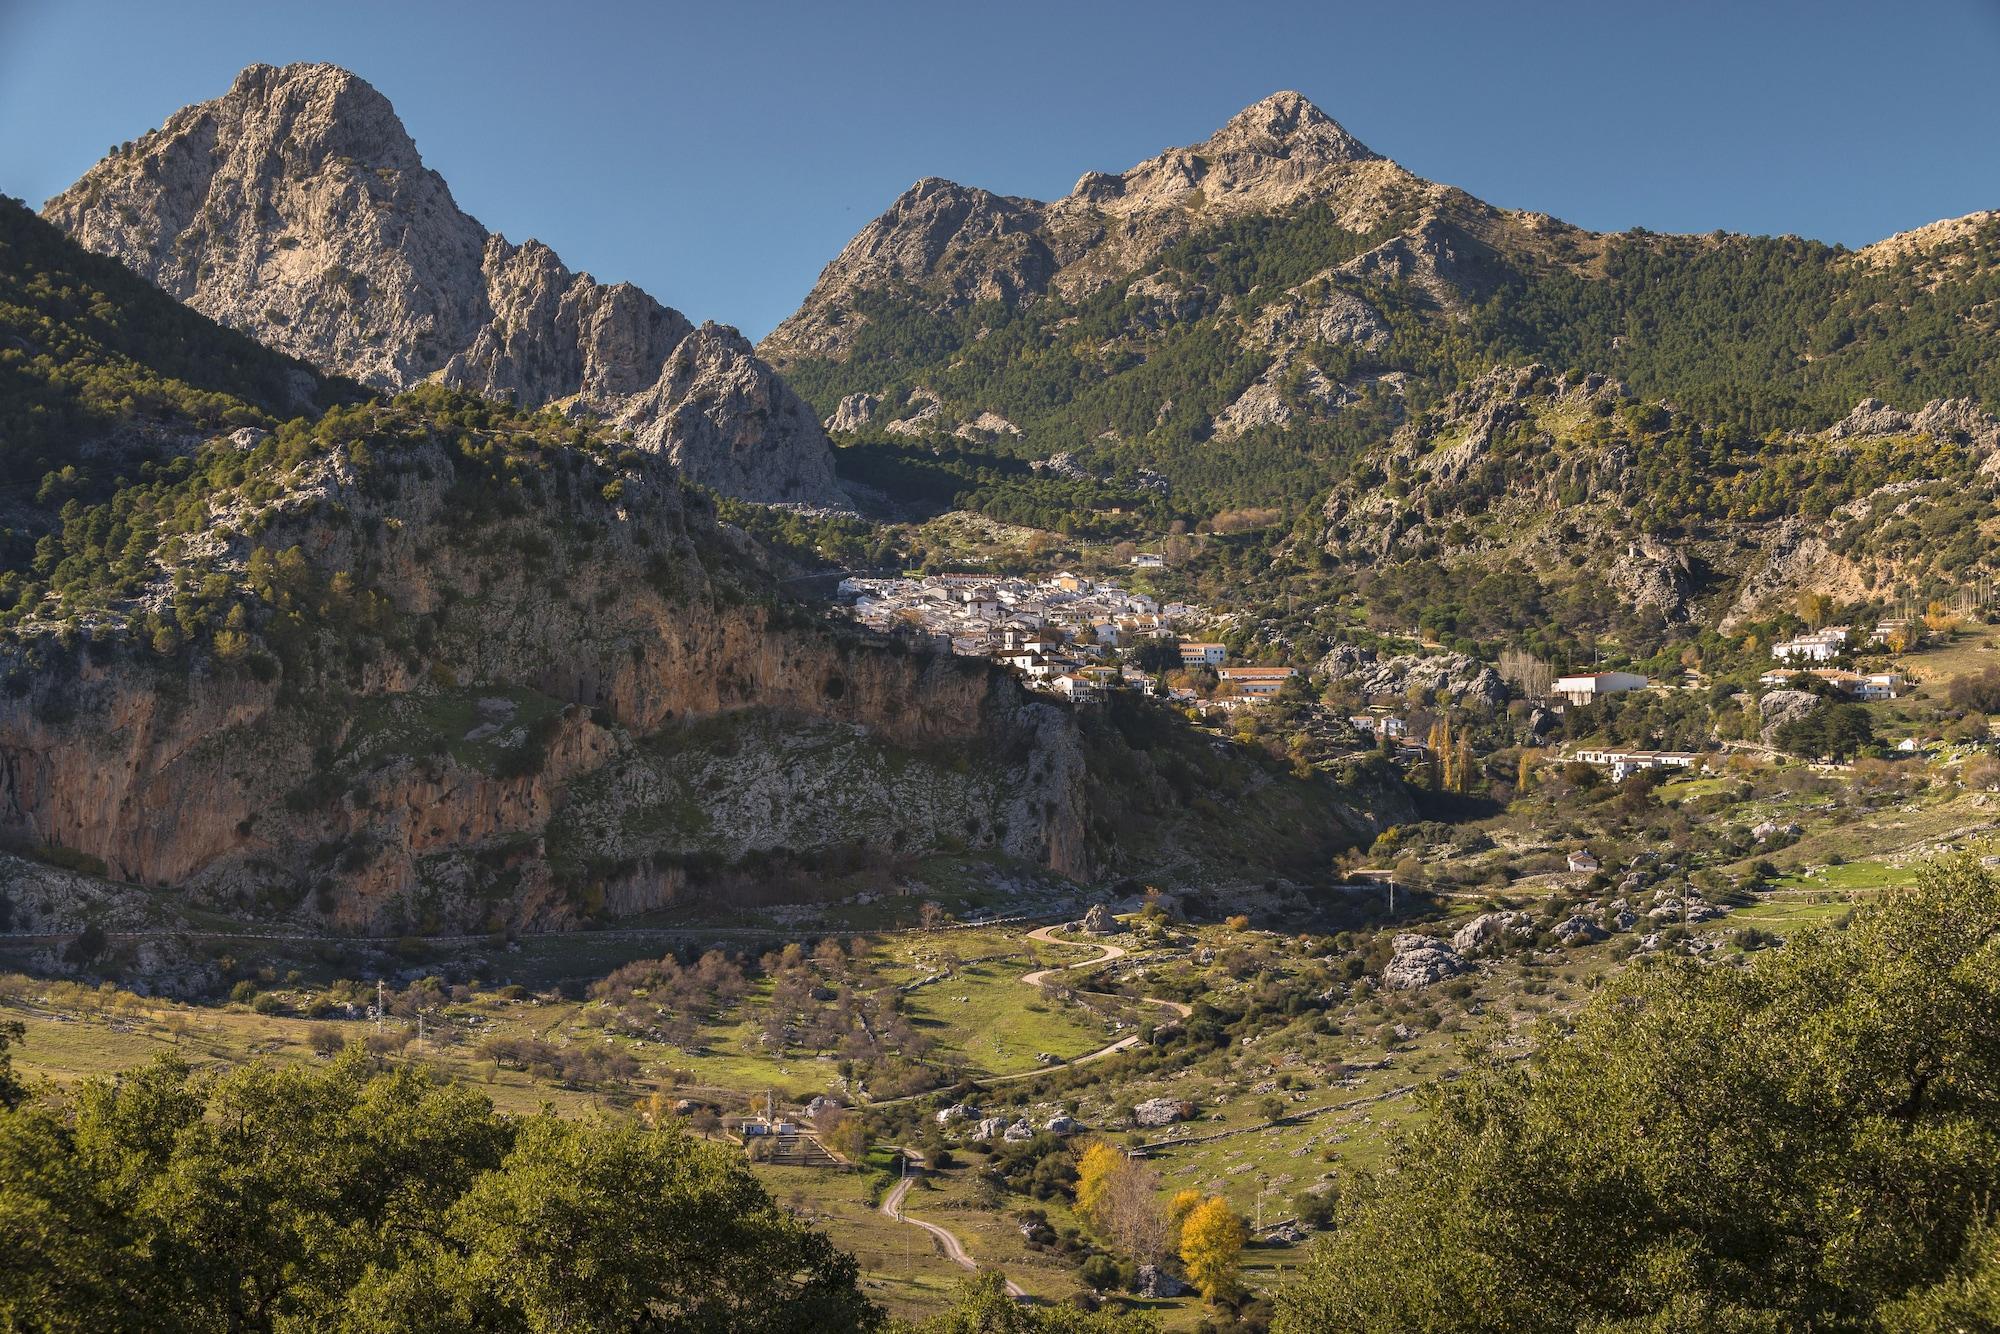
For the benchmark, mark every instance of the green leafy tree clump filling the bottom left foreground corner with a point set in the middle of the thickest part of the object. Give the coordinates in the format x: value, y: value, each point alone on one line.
x: 351, y: 1199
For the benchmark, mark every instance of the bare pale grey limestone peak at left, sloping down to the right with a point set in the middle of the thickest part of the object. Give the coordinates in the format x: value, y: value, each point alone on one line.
x: 299, y: 211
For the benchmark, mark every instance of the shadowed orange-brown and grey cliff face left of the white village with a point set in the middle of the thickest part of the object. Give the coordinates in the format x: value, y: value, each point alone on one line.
x: 571, y: 717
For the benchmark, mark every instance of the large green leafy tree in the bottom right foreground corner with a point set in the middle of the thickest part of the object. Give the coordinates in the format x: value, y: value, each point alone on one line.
x: 1799, y: 1143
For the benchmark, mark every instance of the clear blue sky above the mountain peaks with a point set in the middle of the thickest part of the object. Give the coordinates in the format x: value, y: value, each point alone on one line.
x: 721, y: 153
